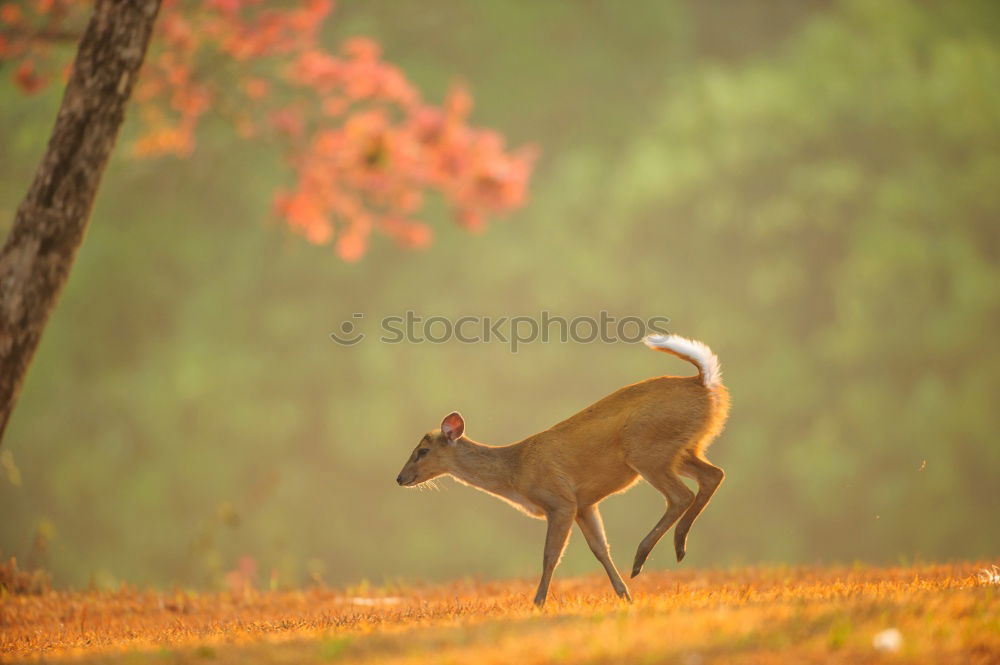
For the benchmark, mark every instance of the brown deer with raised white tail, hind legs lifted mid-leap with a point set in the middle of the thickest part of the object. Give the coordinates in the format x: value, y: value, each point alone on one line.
x: 657, y: 430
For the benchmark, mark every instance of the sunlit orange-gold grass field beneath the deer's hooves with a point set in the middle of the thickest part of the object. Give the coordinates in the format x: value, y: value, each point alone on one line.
x: 935, y: 614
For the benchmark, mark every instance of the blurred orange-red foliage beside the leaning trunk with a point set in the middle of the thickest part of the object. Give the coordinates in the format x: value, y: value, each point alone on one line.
x: 363, y: 147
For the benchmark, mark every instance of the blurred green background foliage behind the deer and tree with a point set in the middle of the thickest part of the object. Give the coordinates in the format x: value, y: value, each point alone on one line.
x: 811, y: 187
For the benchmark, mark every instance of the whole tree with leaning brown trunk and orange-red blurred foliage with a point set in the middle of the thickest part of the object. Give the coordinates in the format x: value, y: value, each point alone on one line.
x: 363, y: 145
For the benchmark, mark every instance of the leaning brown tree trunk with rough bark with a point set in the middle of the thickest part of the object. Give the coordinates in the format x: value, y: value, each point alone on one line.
x: 50, y: 222
